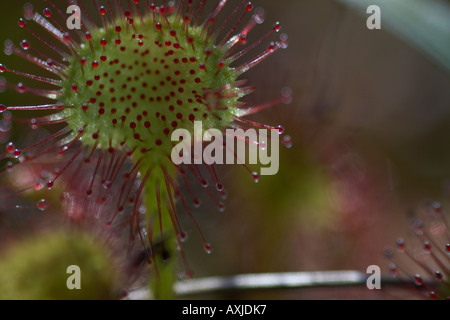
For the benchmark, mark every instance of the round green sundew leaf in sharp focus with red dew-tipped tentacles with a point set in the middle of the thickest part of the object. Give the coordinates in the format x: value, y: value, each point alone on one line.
x: 119, y: 78
